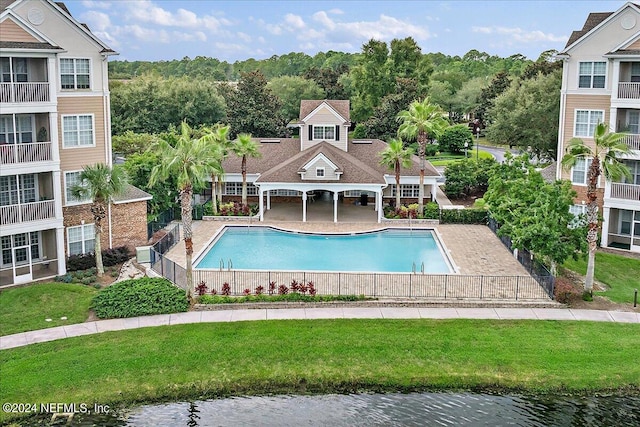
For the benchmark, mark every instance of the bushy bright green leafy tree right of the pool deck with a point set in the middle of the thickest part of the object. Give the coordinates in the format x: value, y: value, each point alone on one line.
x: 533, y: 213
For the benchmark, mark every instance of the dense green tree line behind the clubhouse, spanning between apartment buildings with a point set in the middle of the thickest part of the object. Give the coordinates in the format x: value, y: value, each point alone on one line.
x: 515, y: 98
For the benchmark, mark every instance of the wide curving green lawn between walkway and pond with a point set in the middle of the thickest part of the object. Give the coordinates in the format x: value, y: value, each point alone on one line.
x: 320, y: 356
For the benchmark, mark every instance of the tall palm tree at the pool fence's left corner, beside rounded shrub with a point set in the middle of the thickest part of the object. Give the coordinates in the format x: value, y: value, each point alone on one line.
x: 191, y: 162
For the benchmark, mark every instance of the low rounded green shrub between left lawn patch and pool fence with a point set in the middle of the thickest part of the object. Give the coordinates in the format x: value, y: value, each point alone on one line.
x: 139, y: 297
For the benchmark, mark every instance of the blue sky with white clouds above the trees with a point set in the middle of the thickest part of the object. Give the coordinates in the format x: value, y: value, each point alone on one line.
x: 153, y: 30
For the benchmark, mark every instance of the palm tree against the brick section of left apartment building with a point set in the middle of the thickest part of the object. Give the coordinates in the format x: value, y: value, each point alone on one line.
x: 100, y: 183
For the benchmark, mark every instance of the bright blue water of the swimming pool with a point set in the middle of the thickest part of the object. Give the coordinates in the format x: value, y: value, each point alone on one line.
x: 264, y: 248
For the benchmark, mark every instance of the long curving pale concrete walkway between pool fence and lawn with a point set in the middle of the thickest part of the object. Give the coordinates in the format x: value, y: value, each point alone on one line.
x: 238, y: 315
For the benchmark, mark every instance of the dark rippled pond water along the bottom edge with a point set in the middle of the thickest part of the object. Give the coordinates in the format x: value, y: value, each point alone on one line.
x: 393, y: 409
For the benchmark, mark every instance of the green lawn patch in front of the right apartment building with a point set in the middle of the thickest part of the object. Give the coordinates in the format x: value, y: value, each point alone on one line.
x: 621, y: 274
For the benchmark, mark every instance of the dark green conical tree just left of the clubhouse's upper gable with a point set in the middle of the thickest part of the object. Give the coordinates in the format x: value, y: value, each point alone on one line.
x: 253, y: 108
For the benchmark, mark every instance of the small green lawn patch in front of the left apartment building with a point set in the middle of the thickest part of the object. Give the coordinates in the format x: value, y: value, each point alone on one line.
x: 26, y: 308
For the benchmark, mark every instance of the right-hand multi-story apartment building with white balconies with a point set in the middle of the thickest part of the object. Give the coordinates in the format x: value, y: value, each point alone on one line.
x: 601, y: 83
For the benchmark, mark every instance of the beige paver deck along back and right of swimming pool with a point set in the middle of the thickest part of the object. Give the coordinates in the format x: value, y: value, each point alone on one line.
x: 474, y: 249
